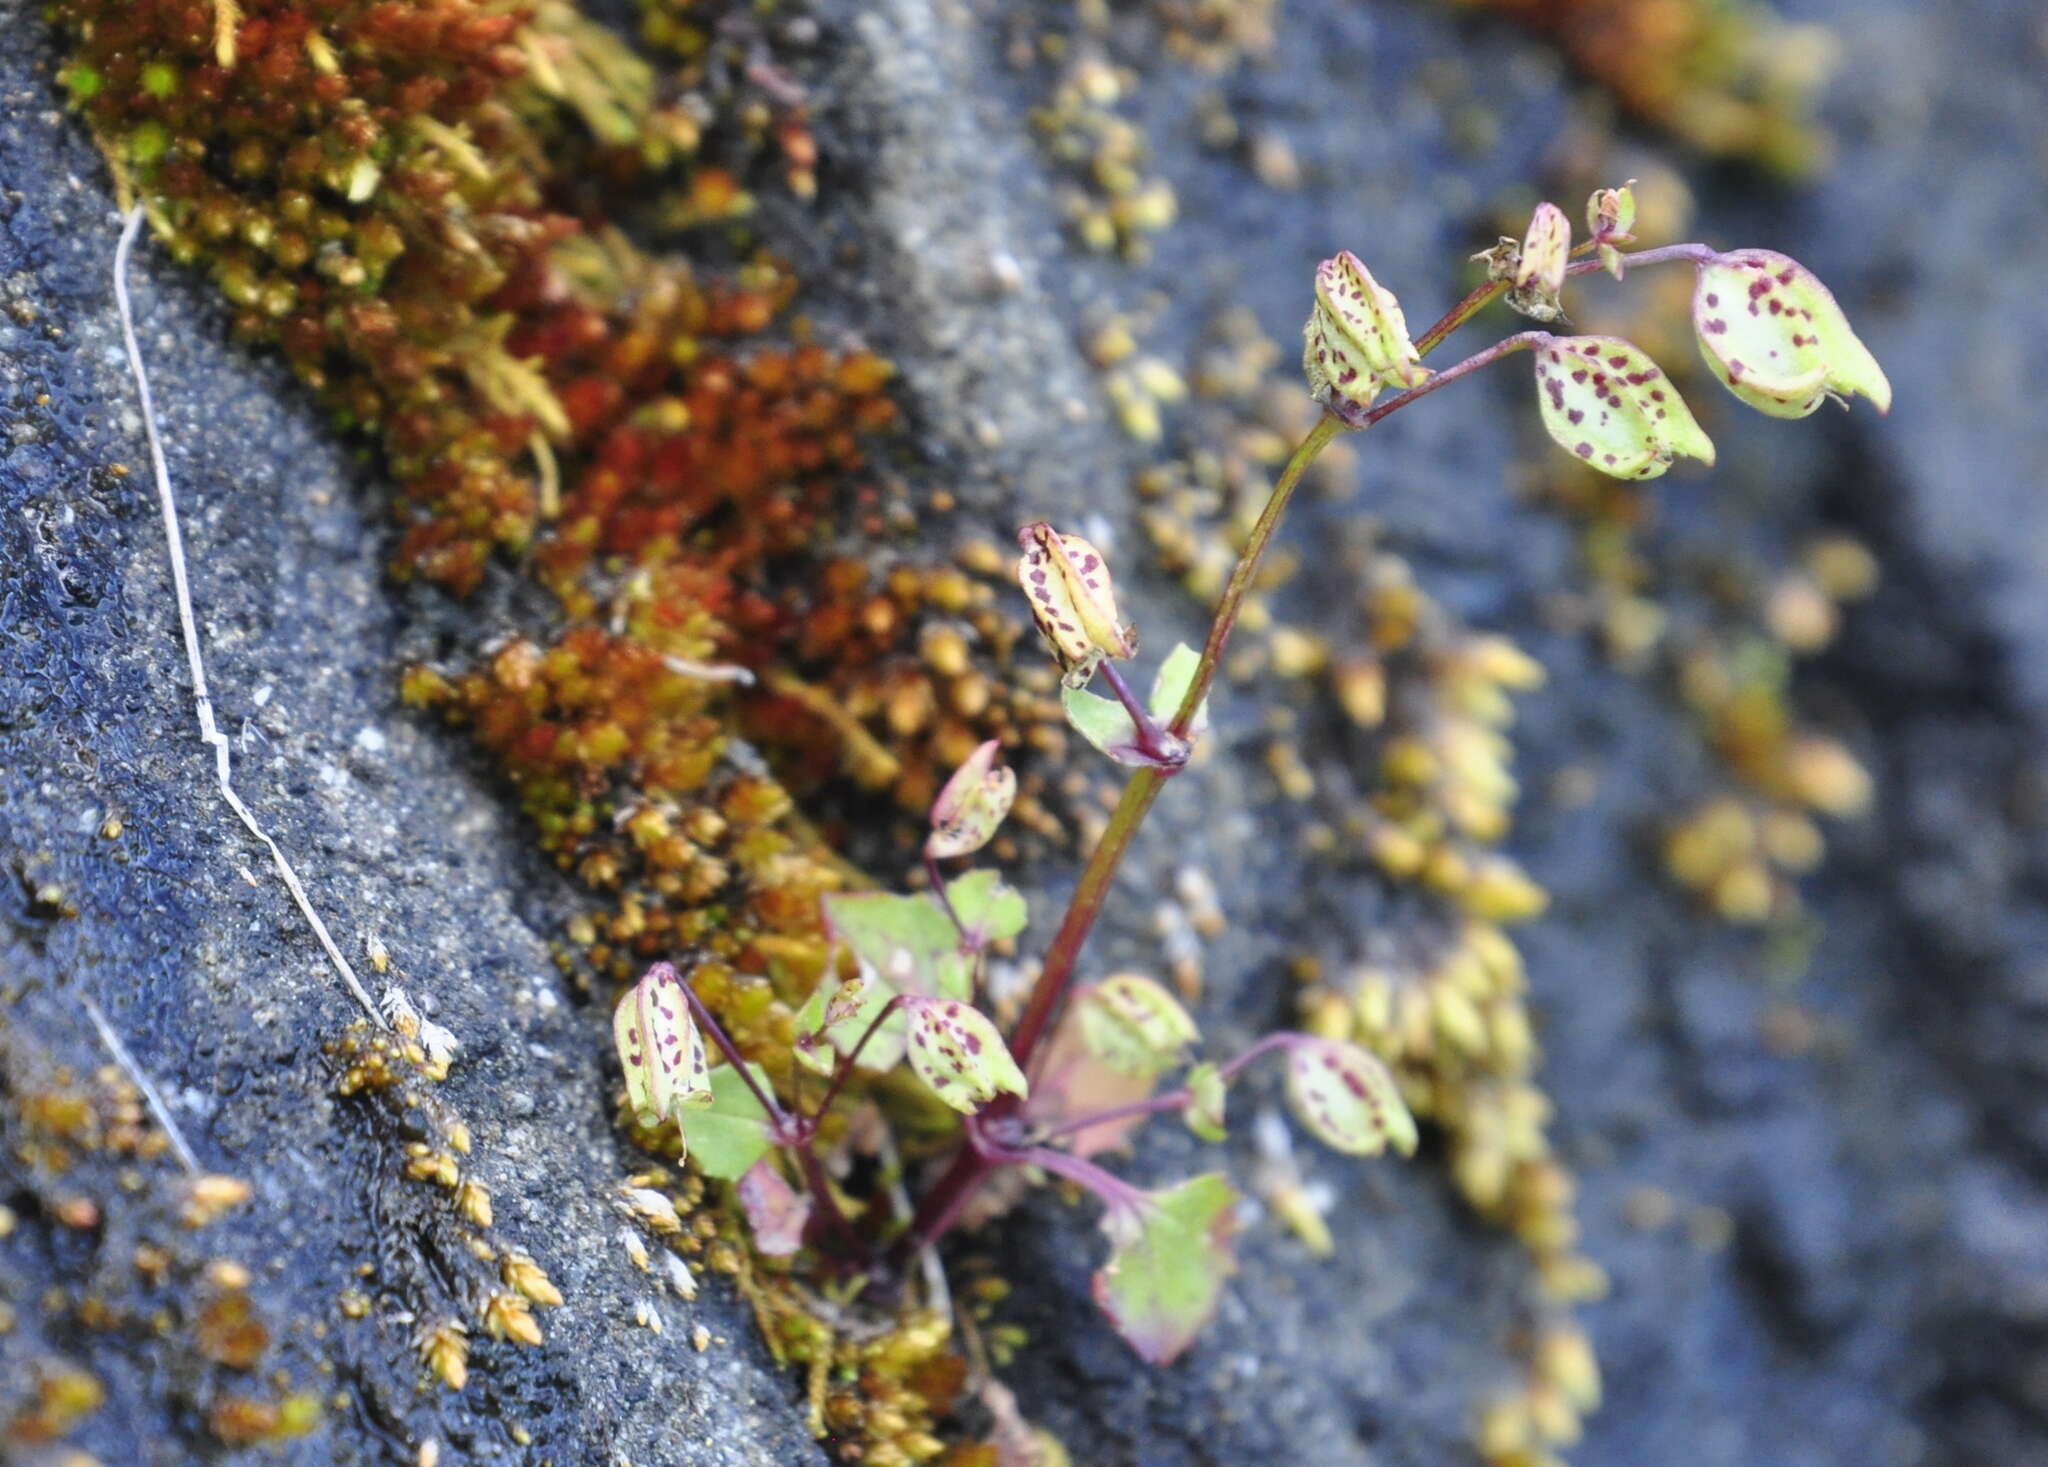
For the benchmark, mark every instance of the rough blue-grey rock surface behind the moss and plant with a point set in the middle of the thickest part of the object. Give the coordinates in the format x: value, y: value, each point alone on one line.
x: 1848, y: 1273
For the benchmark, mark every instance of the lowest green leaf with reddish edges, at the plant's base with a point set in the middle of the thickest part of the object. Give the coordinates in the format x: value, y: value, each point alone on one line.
x: 1170, y: 1255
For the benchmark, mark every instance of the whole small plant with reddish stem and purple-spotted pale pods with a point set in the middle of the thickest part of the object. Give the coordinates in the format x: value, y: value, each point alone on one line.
x: 1082, y: 1066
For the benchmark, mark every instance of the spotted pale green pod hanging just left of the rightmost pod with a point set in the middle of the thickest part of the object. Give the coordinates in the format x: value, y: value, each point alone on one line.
x: 1607, y: 403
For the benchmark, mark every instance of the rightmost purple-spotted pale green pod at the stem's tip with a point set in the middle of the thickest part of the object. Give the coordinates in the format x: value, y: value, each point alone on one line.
x: 1777, y: 337
